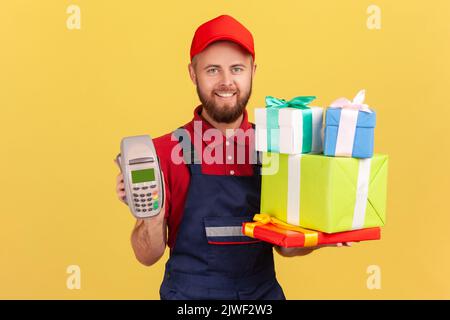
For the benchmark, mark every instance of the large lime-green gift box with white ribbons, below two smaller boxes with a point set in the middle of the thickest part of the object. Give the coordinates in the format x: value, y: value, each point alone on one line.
x: 328, y: 194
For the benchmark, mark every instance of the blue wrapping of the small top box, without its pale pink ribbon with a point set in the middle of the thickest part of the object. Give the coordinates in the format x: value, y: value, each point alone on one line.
x: 364, y: 133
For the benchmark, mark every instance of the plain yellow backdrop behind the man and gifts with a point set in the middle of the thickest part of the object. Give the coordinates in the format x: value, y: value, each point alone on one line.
x: 67, y: 97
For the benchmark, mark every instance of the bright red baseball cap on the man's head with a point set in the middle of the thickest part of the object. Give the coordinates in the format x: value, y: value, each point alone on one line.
x: 223, y: 27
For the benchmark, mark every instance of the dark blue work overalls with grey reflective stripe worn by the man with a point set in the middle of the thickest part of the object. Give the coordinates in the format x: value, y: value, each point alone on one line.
x: 211, y: 258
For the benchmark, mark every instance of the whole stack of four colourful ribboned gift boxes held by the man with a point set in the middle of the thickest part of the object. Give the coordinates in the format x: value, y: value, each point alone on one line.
x: 318, y: 186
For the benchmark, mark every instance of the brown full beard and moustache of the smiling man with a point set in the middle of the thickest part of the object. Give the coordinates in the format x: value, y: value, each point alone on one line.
x: 226, y: 113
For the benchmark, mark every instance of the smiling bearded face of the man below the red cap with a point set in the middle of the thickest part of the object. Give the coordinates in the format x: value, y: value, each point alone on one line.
x: 223, y: 74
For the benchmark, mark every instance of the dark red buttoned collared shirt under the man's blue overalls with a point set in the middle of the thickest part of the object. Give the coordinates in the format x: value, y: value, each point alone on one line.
x: 226, y: 156
